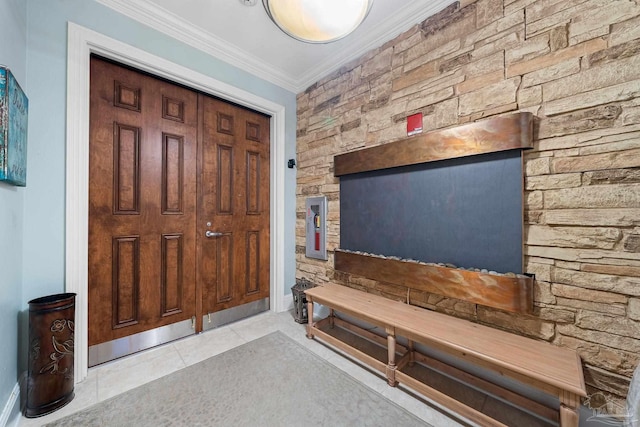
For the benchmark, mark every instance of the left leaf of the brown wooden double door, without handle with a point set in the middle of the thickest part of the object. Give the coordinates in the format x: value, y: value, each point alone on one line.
x: 142, y: 213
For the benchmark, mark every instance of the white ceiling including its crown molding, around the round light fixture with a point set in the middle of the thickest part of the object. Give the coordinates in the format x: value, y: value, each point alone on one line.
x: 245, y: 37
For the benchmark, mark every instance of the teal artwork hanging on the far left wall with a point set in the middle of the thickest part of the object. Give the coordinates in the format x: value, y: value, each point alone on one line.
x: 14, y: 107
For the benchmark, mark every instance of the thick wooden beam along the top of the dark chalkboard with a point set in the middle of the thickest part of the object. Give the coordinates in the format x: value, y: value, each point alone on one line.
x: 487, y: 136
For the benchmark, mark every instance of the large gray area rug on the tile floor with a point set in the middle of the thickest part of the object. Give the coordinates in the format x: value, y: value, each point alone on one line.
x: 272, y: 381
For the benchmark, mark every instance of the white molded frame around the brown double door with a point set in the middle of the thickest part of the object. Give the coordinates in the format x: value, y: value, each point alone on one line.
x: 80, y: 44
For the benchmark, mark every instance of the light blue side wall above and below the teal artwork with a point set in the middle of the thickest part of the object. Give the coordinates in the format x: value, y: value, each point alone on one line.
x: 13, y: 33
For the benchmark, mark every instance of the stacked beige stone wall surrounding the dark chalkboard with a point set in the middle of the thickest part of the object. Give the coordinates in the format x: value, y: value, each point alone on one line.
x: 575, y: 64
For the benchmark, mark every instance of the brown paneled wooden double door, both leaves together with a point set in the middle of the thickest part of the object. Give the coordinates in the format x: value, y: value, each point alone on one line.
x: 178, y: 204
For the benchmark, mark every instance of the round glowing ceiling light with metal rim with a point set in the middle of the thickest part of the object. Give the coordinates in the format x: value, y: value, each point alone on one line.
x: 317, y: 21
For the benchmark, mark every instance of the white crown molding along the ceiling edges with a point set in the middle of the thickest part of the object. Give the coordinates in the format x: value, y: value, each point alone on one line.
x: 149, y: 14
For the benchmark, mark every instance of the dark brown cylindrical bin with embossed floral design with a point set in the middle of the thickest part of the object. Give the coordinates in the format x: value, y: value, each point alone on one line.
x: 50, y: 379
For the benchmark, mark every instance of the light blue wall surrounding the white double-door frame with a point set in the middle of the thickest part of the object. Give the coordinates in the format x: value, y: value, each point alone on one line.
x: 46, y: 54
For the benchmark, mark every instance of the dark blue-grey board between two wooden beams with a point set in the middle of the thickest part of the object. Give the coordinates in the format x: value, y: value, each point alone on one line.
x: 465, y: 211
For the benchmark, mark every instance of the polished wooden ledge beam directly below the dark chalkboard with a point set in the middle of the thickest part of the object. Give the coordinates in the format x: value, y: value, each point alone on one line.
x: 513, y: 294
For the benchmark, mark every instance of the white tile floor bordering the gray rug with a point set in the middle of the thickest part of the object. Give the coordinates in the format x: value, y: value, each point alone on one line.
x: 116, y: 377
